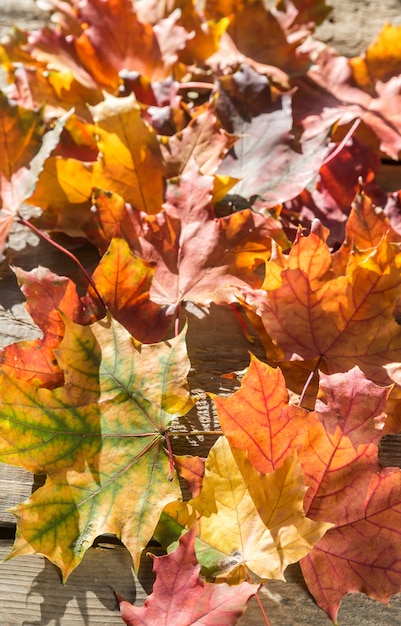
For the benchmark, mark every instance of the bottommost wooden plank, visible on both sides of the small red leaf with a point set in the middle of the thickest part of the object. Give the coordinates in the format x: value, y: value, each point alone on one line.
x: 31, y: 594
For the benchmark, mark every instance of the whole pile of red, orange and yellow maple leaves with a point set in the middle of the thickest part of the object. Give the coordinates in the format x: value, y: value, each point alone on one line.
x: 212, y: 154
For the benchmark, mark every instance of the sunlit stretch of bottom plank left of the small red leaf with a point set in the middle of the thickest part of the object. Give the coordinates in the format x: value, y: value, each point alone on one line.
x: 31, y: 591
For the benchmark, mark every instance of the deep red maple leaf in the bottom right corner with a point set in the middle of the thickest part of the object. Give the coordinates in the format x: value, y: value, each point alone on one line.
x: 342, y: 563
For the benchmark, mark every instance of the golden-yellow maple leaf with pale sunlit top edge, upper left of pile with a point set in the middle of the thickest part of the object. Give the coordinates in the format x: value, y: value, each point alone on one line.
x: 129, y: 163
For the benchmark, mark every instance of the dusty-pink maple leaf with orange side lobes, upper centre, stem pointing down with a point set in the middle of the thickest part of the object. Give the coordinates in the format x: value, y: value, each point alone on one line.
x: 197, y: 256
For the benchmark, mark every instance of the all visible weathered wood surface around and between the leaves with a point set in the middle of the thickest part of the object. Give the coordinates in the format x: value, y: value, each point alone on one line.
x: 30, y: 590
